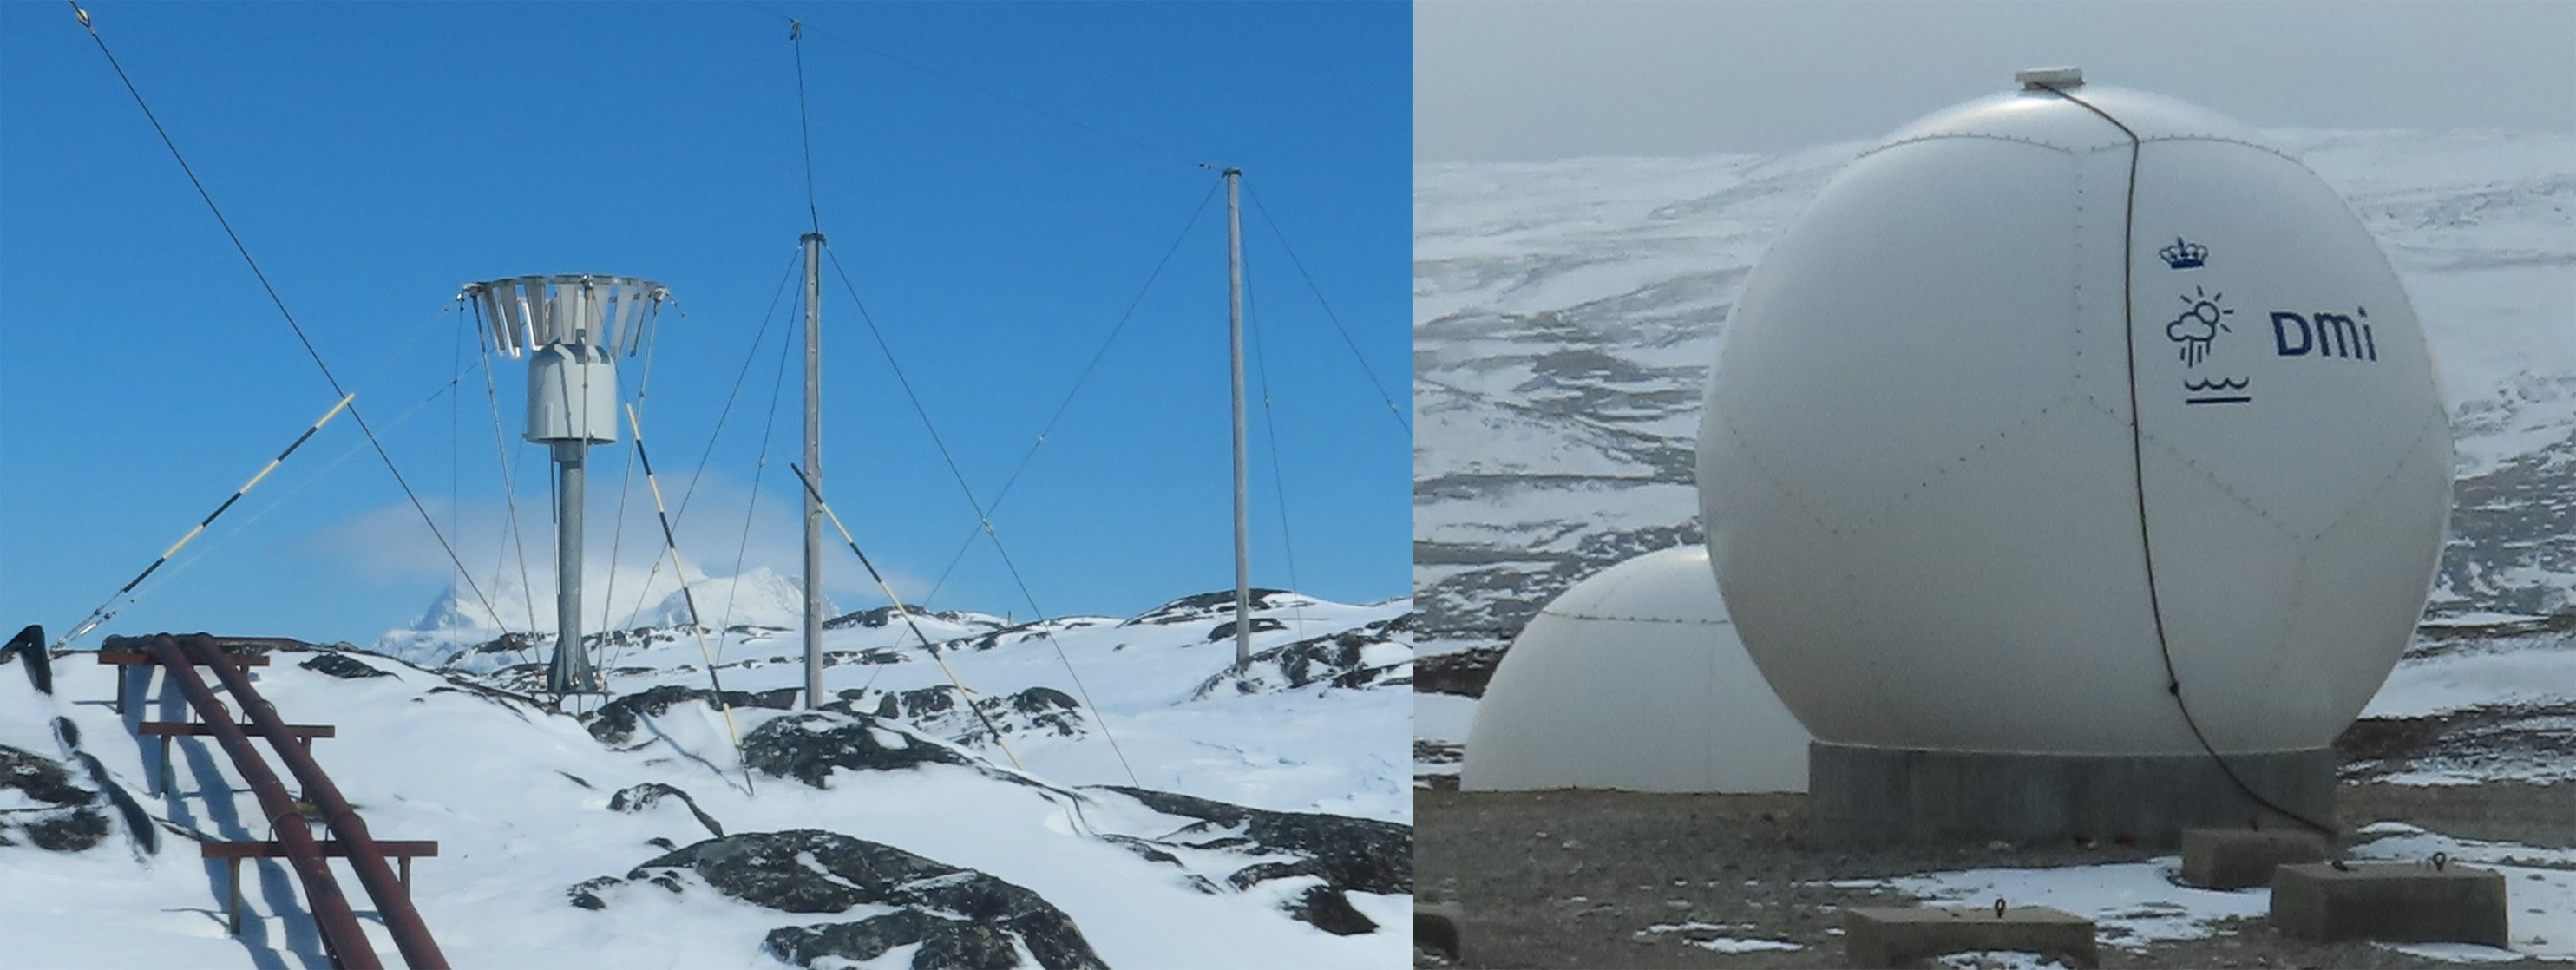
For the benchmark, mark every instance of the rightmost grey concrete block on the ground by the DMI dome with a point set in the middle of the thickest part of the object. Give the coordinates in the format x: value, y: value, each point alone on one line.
x: 2397, y: 902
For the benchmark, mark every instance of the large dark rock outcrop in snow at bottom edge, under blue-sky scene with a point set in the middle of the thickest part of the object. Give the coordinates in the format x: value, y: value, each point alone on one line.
x: 960, y: 917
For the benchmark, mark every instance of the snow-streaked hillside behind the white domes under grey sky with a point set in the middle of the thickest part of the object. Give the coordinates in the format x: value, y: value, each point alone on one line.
x: 1567, y: 318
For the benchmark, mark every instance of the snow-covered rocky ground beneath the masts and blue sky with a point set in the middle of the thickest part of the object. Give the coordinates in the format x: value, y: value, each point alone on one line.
x: 1168, y: 814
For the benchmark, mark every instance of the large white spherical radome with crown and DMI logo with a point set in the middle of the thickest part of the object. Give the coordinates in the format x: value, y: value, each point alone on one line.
x: 1933, y: 513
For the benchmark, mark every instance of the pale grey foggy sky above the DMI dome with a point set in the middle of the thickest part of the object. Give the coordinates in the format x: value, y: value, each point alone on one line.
x: 1544, y: 81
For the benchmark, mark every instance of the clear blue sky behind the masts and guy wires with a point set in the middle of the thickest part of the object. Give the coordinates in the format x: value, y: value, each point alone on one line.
x: 998, y: 179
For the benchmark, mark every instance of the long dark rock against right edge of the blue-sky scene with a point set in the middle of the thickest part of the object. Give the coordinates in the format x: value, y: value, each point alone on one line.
x: 1359, y: 856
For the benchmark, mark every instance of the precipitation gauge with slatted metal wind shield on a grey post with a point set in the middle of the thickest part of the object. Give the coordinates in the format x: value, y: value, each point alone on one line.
x: 573, y: 328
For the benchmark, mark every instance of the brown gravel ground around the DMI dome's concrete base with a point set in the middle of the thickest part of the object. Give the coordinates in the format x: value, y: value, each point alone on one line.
x: 1573, y: 879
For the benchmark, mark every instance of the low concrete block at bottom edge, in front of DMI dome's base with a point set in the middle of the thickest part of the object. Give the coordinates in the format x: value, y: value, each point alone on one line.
x: 1913, y: 935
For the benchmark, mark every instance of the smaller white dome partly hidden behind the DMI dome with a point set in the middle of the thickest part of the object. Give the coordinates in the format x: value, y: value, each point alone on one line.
x: 1634, y: 681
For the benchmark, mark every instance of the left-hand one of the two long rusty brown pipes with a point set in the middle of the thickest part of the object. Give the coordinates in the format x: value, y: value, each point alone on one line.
x: 334, y: 915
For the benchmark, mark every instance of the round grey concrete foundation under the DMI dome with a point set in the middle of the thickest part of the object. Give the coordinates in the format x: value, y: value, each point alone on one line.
x: 1913, y: 796
